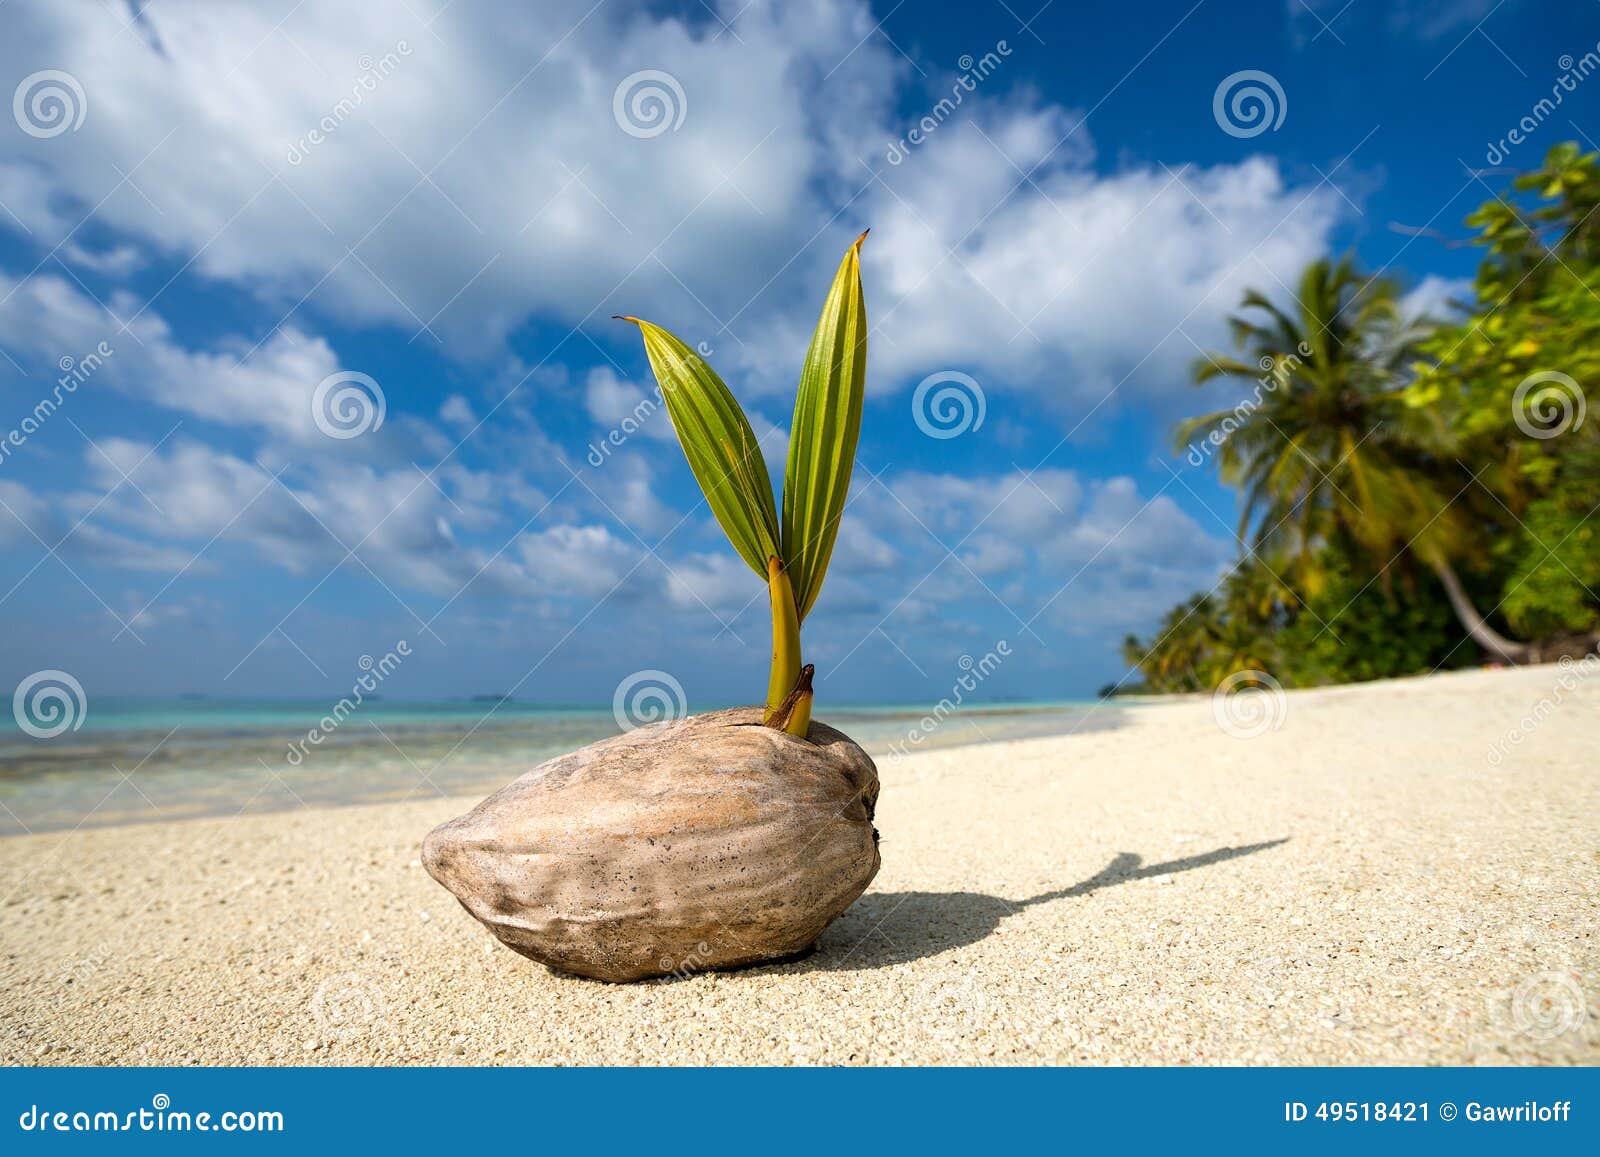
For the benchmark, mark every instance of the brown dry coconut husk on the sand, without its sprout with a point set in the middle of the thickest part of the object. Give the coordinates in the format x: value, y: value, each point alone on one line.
x: 710, y: 843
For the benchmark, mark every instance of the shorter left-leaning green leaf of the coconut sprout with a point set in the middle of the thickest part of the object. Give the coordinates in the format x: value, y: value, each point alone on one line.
x: 719, y: 442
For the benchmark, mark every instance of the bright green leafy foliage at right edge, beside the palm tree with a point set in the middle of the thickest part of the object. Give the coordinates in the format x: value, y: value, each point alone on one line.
x: 1537, y: 330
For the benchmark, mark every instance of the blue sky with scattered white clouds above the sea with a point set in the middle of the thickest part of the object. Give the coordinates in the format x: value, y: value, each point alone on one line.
x: 484, y: 196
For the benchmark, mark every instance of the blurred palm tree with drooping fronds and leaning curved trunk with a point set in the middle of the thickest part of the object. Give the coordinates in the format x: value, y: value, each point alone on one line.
x: 1326, y: 450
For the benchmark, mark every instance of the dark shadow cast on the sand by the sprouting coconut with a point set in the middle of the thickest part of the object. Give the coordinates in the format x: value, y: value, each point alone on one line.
x: 895, y: 927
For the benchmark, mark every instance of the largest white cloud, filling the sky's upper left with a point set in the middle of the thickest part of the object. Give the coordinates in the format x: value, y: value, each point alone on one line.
x: 530, y: 204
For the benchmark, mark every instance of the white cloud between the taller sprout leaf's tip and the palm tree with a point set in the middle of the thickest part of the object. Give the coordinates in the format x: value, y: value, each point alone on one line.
x: 1079, y: 282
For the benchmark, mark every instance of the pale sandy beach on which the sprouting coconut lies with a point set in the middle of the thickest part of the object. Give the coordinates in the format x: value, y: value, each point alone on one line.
x: 1362, y: 886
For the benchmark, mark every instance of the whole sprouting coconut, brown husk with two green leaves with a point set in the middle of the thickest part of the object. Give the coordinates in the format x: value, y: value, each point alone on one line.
x: 724, y: 839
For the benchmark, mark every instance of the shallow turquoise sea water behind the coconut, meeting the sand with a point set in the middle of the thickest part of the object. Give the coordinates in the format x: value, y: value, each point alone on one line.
x: 166, y: 759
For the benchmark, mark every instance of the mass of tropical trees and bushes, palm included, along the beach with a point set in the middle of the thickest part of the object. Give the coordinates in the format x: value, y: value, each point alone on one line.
x: 1415, y: 494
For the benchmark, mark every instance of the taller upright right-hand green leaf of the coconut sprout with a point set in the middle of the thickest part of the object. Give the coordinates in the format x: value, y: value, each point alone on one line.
x: 825, y: 431
